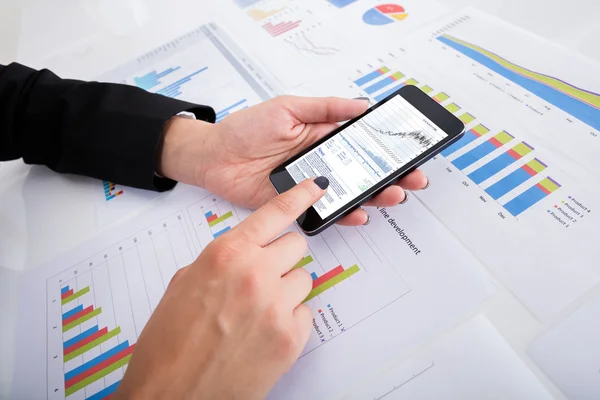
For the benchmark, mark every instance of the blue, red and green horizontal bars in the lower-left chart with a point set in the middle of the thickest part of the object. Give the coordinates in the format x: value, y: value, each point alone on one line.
x: 85, y: 373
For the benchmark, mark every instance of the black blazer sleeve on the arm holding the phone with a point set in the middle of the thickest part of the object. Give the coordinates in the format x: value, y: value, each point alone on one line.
x: 102, y: 130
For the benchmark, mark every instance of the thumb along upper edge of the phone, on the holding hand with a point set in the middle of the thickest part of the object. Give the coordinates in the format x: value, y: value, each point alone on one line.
x: 323, y: 109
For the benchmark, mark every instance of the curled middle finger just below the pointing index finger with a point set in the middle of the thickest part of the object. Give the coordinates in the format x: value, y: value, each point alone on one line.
x: 286, y: 251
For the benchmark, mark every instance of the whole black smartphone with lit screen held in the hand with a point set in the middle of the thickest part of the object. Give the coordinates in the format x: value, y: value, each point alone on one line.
x: 369, y: 153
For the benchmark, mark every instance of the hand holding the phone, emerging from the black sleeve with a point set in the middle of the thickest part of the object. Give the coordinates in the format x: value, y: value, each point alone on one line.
x: 234, y: 157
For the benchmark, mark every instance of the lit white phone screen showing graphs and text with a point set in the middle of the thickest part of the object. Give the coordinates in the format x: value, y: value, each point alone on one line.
x: 366, y: 152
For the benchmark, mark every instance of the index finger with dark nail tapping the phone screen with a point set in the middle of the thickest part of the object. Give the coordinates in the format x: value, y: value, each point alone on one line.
x: 281, y: 211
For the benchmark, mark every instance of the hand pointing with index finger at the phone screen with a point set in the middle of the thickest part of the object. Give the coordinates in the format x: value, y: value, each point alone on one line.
x: 233, y: 322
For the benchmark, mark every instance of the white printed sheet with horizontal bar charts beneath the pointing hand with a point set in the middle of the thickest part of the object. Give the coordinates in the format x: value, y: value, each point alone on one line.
x: 86, y: 310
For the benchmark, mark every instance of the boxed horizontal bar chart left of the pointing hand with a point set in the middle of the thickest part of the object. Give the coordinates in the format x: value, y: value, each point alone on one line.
x: 98, y: 307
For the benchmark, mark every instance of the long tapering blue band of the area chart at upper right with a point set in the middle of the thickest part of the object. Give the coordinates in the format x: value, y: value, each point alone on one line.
x: 577, y: 108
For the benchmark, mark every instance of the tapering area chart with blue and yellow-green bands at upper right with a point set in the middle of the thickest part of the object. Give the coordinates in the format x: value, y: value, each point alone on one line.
x: 580, y: 103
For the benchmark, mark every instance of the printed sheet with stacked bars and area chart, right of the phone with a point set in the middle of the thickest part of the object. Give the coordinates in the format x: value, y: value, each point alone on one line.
x: 510, y: 175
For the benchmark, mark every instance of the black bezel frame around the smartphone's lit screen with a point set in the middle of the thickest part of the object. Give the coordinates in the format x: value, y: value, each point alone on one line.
x: 310, y: 222
